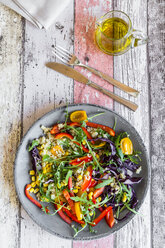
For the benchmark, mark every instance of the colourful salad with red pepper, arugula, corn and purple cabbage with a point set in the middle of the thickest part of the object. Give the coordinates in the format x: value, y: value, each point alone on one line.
x: 86, y: 171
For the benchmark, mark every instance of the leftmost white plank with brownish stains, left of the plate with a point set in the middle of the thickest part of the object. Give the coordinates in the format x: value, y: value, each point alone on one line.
x: 10, y: 122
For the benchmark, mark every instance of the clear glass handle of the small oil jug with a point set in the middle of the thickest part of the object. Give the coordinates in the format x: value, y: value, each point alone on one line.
x: 138, y: 38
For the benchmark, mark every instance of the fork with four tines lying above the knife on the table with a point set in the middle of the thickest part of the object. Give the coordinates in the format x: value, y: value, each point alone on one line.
x: 71, y: 59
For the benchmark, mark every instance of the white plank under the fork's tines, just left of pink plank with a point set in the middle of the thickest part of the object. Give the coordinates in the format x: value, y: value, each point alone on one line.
x: 44, y: 90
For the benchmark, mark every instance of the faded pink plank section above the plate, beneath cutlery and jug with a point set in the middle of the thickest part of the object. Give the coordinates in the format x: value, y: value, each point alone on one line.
x: 86, y: 13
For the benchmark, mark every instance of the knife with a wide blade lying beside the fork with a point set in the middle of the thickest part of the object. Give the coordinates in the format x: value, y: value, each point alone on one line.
x: 72, y: 73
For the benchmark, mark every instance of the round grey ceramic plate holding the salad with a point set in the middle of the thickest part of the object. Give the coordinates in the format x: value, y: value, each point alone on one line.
x: 54, y: 224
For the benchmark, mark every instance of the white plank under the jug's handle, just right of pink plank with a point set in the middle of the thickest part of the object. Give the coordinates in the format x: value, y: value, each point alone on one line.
x: 131, y: 69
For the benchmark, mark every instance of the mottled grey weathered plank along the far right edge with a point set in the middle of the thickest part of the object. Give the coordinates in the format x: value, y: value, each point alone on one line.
x: 156, y: 49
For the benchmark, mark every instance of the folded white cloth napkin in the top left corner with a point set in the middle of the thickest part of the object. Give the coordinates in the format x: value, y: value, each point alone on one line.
x: 41, y: 13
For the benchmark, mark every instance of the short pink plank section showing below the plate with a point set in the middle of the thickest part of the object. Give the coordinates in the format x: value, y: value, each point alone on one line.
x: 99, y: 243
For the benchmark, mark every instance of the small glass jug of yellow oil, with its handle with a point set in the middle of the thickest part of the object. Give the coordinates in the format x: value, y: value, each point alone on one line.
x: 114, y: 33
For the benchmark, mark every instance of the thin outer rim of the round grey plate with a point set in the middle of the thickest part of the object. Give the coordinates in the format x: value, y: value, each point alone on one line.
x: 77, y: 238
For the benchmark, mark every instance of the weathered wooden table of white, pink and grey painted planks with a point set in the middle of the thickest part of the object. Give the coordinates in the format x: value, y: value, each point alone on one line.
x: 29, y: 90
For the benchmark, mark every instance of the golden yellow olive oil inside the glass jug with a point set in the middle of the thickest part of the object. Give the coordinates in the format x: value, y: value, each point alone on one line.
x: 111, y: 36
